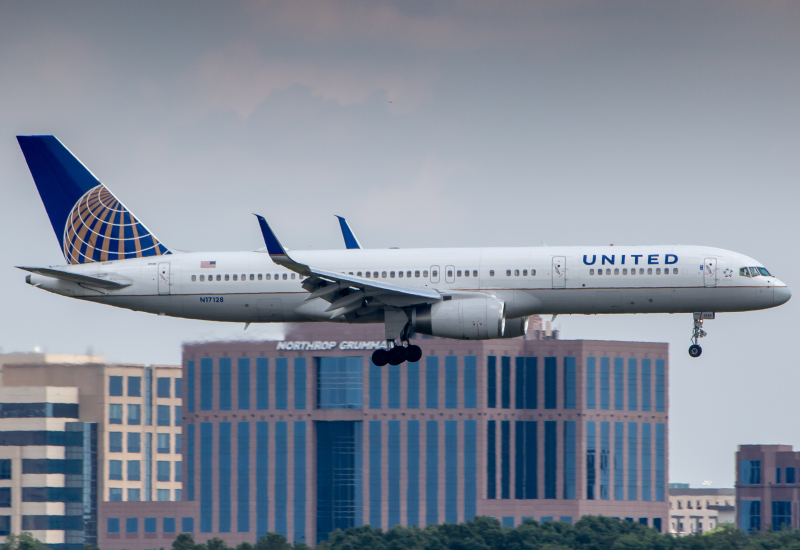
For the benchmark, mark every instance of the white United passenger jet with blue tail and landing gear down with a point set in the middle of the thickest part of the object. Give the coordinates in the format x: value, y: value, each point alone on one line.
x: 460, y: 293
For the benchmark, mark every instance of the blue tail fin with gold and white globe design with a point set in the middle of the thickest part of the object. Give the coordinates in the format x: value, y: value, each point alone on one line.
x: 89, y: 221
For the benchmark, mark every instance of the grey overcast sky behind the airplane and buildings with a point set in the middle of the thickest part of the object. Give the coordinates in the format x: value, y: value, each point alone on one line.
x: 428, y: 124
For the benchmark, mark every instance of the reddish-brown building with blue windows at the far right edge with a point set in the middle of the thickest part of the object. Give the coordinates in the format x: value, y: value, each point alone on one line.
x: 767, y: 487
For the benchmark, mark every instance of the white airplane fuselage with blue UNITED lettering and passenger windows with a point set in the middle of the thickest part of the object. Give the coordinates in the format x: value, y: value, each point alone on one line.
x: 248, y: 287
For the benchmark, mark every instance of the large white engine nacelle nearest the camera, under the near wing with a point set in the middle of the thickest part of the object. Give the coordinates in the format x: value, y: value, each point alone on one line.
x: 467, y: 319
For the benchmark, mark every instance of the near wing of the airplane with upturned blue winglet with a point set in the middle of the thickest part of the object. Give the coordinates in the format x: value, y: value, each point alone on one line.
x: 345, y: 293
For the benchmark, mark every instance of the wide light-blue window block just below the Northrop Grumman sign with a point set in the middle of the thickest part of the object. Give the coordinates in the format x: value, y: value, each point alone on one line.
x: 340, y: 383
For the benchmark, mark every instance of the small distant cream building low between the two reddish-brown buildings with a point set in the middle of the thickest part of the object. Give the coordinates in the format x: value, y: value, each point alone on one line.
x: 700, y: 510
